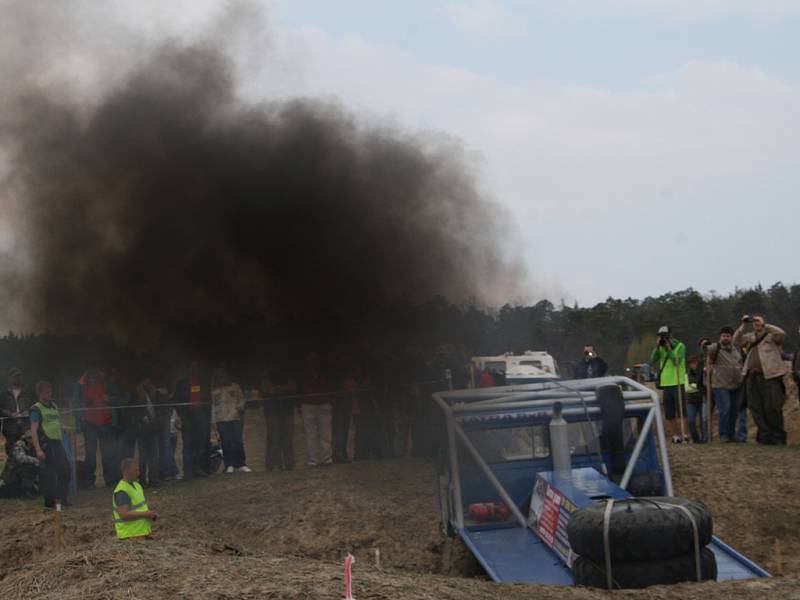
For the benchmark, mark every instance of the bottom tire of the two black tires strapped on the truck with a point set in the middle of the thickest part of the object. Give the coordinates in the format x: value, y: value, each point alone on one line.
x: 634, y: 575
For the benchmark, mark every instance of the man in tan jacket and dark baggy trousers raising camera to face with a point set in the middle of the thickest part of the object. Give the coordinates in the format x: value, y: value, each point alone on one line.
x: 764, y: 369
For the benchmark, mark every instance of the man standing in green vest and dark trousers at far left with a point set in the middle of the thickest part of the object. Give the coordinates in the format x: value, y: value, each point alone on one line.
x: 54, y: 471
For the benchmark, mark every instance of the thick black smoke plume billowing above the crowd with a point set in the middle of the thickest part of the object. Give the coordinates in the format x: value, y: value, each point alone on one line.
x: 171, y: 201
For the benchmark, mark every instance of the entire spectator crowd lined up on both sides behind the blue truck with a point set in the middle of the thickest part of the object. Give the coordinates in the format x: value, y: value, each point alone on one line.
x: 351, y: 406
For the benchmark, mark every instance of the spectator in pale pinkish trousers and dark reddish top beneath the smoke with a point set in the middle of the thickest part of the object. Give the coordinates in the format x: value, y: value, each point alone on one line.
x: 317, y: 413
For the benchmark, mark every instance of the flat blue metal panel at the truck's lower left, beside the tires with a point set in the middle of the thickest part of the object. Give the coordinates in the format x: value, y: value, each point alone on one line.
x: 514, y: 554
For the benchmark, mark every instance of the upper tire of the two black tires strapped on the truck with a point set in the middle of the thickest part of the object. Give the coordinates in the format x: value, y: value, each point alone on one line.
x: 639, y: 529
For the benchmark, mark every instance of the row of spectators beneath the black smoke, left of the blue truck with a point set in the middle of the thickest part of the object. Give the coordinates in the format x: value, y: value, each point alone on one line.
x: 350, y: 407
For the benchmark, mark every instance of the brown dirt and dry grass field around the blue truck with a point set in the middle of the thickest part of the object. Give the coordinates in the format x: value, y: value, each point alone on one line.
x: 283, y: 535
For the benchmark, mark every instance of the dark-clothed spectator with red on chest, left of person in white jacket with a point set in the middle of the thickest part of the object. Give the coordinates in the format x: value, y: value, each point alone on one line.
x: 193, y: 396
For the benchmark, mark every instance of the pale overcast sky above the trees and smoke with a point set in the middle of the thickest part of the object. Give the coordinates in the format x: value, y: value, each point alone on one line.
x: 641, y: 146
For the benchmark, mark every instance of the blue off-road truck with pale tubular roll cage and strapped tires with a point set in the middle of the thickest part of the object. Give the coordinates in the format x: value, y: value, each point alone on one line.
x: 565, y: 482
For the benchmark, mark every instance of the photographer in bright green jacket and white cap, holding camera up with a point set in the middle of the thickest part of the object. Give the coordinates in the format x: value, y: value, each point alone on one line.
x: 669, y: 356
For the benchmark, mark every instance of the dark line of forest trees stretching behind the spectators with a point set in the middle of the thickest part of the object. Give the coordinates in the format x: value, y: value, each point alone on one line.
x: 622, y: 330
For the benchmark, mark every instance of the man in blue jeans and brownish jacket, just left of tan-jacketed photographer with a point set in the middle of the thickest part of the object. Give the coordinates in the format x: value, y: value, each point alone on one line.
x: 725, y: 360
